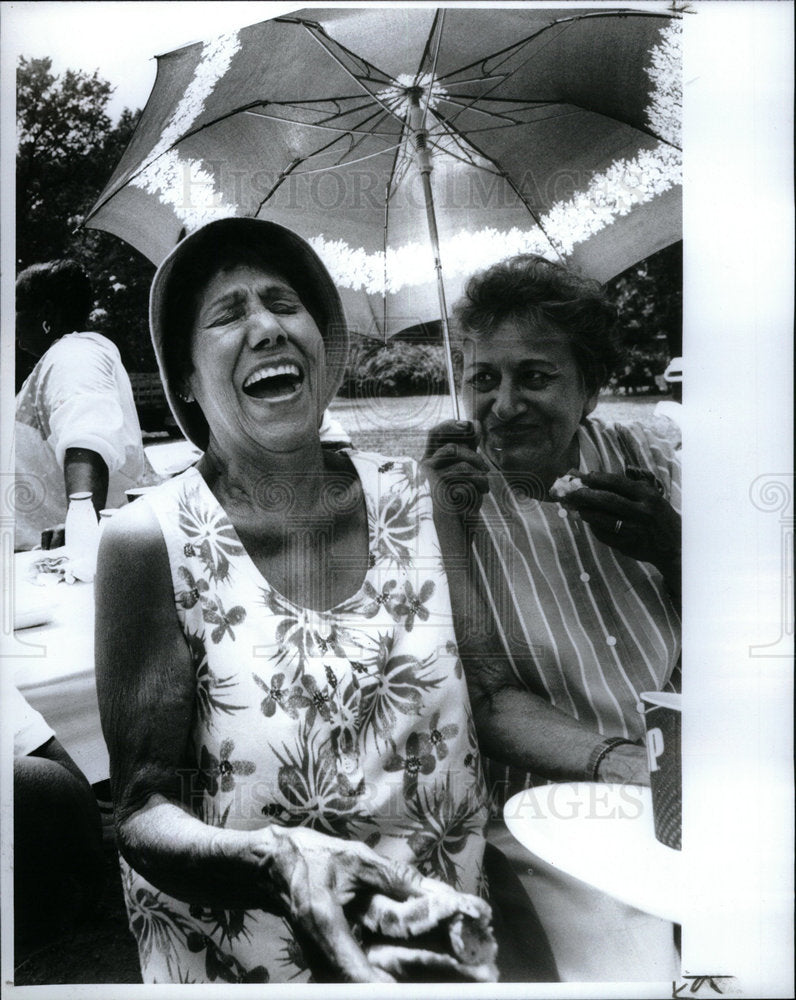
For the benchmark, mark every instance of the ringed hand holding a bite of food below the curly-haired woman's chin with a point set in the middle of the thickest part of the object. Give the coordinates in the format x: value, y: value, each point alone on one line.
x: 629, y: 513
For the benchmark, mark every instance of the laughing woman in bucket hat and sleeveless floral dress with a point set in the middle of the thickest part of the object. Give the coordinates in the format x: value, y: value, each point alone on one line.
x: 280, y: 690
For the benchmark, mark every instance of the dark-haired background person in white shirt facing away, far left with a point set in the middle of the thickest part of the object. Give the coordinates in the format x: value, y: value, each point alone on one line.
x: 76, y: 426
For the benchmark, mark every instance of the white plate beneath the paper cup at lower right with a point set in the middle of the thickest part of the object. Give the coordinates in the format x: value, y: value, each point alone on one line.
x: 603, y: 835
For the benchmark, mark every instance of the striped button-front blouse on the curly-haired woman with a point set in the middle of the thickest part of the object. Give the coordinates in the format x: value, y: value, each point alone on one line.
x: 600, y: 627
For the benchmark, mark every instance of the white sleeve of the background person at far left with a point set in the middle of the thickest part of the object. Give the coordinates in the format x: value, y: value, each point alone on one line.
x: 82, y: 398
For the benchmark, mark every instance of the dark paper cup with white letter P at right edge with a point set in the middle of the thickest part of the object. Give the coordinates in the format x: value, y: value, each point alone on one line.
x: 662, y: 715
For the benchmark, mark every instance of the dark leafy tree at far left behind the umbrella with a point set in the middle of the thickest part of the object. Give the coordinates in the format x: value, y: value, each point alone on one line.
x: 68, y: 149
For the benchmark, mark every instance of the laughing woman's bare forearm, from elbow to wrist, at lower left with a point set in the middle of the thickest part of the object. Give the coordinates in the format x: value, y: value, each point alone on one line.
x: 198, y: 863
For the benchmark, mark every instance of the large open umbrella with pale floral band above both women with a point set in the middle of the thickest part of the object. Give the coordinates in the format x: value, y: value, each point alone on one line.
x: 412, y: 146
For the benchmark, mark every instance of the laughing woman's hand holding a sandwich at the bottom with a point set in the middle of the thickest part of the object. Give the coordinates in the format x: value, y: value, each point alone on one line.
x: 327, y: 885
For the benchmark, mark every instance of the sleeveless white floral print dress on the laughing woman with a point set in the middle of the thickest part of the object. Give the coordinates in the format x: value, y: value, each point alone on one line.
x: 353, y: 721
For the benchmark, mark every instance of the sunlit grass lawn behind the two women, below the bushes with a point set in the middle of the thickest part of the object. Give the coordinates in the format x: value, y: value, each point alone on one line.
x: 398, y: 426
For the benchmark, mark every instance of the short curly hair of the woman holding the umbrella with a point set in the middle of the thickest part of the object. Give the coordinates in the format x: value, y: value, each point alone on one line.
x: 529, y: 288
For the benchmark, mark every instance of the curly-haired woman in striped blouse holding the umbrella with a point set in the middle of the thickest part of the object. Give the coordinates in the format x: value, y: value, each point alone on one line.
x: 581, y: 579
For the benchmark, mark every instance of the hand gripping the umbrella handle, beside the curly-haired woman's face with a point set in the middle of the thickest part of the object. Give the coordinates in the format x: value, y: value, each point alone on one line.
x: 457, y: 473
